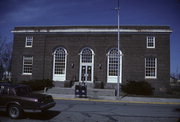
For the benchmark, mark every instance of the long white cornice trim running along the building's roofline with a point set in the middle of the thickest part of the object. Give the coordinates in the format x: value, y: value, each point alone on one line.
x: 90, y: 30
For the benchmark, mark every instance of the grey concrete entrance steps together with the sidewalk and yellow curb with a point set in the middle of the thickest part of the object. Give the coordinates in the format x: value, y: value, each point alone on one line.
x: 106, y: 95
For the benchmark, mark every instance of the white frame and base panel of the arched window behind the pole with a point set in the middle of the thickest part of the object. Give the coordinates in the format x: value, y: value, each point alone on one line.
x: 113, y: 79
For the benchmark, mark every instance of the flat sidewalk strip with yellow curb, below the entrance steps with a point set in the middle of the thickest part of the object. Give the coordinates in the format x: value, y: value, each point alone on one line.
x: 126, y: 99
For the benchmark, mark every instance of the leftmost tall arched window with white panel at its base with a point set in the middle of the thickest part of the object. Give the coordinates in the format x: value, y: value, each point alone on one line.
x: 59, y: 64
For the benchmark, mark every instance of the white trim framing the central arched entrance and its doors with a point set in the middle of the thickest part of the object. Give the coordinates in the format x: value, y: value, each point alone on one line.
x: 87, y: 64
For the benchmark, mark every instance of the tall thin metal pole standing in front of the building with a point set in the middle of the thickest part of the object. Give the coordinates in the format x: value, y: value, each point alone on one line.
x: 118, y: 76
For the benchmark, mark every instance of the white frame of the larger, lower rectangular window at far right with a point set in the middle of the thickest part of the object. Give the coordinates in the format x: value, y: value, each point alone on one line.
x: 151, y: 77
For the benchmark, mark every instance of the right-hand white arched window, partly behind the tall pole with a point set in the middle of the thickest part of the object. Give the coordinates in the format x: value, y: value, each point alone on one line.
x: 112, y: 65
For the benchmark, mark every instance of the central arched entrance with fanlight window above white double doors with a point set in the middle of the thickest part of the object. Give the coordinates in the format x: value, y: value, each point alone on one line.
x: 86, y: 64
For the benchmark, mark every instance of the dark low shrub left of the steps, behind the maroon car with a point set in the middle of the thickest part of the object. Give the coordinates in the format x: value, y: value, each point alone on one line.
x: 38, y: 84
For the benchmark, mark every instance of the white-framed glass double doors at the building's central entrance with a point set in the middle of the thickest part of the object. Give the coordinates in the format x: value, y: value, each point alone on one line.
x: 86, y: 73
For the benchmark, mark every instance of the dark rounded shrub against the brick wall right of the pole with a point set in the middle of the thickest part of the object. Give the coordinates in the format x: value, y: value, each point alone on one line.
x: 137, y: 88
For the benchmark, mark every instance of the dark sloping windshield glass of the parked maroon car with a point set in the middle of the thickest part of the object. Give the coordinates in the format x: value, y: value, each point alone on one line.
x: 23, y: 91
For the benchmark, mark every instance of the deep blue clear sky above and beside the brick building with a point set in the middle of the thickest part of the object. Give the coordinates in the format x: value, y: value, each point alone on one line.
x: 93, y: 12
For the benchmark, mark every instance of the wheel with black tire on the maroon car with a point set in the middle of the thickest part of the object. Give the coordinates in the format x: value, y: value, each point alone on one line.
x: 14, y: 111
